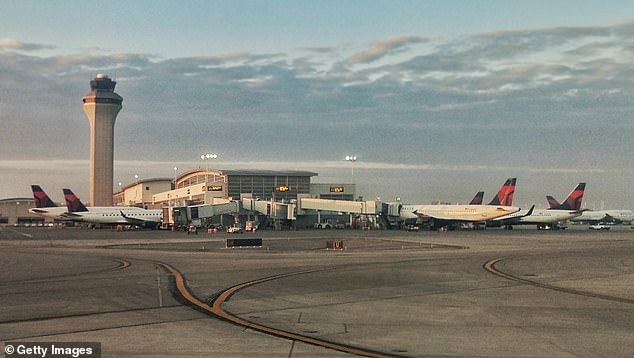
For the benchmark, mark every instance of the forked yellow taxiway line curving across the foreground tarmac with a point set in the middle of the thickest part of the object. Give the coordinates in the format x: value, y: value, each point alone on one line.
x: 215, y: 309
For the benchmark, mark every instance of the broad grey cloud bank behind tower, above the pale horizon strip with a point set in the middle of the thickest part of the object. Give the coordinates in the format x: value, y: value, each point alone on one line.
x: 451, y: 100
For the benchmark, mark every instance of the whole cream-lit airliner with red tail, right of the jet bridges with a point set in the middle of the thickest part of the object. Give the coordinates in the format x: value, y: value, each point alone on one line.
x: 450, y: 215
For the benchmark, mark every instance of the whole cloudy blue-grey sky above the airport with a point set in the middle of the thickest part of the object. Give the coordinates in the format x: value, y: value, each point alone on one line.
x: 437, y: 99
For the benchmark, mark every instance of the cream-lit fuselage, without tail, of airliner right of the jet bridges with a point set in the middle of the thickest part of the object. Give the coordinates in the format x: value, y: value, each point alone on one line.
x: 475, y: 213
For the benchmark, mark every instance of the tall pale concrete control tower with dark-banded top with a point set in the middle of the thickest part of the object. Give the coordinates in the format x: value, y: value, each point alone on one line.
x: 101, y: 105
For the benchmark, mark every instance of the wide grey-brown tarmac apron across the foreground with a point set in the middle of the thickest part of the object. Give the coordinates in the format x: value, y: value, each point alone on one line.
x: 492, y: 293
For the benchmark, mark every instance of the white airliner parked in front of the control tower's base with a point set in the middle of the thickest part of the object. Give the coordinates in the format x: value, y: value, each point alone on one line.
x: 110, y: 215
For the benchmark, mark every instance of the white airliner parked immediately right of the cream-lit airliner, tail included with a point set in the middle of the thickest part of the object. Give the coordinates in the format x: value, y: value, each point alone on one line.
x: 546, y: 218
